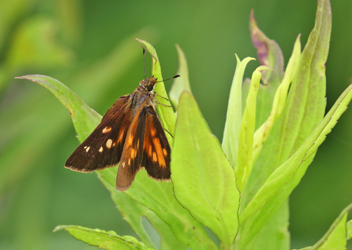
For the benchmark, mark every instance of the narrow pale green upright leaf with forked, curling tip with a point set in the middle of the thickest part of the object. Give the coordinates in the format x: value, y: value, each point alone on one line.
x: 234, y: 114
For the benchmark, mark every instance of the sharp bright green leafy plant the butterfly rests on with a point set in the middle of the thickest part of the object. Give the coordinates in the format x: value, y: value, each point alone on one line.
x: 239, y: 189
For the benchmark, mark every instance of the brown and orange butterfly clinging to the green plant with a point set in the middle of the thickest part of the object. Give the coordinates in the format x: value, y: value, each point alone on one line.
x: 130, y: 133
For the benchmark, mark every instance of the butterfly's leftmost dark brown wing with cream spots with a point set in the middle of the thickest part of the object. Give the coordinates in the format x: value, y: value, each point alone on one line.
x: 103, y: 147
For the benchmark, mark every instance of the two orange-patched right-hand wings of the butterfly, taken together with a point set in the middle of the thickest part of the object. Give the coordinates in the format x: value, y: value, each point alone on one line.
x: 146, y: 146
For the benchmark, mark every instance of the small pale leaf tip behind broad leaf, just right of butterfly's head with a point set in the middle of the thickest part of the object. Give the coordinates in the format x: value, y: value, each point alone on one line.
x: 182, y: 83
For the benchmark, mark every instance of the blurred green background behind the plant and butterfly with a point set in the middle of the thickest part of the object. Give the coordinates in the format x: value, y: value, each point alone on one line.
x: 89, y: 46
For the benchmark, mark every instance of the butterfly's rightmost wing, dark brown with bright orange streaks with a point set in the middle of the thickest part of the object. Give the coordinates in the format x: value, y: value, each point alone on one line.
x: 156, y: 158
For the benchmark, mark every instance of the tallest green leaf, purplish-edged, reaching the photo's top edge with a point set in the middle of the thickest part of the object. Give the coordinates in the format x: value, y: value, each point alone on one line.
x: 306, y: 102
